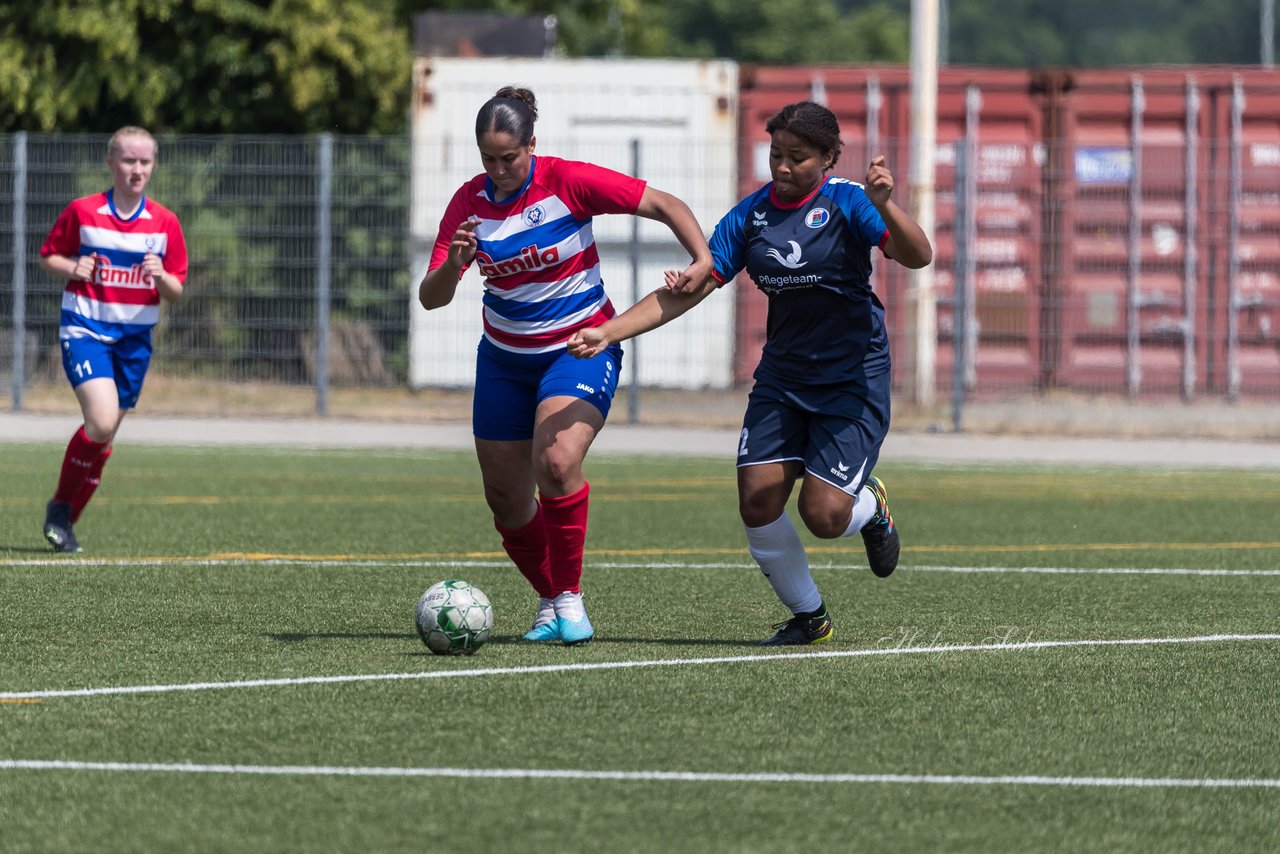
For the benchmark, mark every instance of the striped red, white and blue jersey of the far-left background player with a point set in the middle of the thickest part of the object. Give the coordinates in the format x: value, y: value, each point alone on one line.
x: 122, y: 300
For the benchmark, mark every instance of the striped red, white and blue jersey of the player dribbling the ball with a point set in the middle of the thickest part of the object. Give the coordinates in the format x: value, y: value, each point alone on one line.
x: 537, y: 252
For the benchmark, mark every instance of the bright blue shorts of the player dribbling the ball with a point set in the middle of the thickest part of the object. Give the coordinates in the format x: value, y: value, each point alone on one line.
x: 511, y: 386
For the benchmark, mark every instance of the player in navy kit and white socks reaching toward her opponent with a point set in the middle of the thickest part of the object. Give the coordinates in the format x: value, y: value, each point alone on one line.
x: 821, y: 401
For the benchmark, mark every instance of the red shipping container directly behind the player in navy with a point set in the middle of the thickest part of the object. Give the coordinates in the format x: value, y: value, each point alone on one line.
x: 1009, y: 179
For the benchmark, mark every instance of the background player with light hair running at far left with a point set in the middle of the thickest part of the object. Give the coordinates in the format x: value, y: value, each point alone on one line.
x: 122, y: 254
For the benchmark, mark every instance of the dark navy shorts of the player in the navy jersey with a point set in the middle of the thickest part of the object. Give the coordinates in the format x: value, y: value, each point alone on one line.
x: 836, y: 432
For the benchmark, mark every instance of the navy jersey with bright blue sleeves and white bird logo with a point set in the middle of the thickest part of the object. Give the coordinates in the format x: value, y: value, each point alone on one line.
x: 813, y: 261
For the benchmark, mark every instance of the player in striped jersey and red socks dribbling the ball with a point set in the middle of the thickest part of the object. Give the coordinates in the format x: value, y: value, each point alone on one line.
x: 527, y: 225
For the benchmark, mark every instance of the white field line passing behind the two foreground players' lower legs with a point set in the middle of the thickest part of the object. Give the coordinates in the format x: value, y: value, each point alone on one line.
x: 614, y: 565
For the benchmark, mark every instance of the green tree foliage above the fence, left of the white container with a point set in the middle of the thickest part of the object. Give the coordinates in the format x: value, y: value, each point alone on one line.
x: 204, y: 66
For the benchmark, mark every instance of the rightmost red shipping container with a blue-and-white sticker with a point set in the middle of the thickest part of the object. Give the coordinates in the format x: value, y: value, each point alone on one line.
x: 1098, y: 131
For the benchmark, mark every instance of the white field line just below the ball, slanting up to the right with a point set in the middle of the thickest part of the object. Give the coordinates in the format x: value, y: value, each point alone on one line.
x: 903, y: 650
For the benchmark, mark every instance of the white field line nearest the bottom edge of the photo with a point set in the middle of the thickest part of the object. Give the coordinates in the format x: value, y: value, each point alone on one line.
x: 643, y: 777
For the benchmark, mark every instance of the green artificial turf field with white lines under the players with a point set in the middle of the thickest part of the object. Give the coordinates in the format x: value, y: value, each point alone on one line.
x: 1067, y: 660
